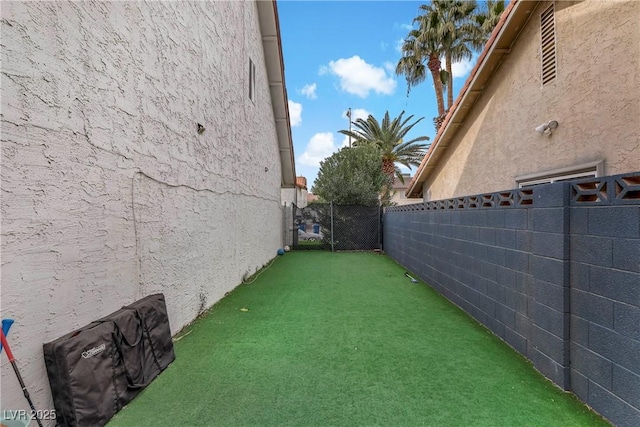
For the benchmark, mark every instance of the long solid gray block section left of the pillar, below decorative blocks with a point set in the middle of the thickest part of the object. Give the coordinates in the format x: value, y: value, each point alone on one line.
x: 479, y: 259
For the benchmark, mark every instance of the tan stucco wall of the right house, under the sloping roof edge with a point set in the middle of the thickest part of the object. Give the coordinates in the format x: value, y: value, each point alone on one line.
x: 594, y: 98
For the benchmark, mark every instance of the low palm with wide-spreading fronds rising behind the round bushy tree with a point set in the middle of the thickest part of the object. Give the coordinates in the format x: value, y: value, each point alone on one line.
x: 388, y: 137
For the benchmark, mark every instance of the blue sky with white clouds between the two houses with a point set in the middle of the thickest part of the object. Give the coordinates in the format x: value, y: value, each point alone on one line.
x: 340, y: 55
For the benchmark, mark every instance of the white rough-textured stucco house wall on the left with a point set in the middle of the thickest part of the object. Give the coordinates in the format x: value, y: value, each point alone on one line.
x: 109, y: 193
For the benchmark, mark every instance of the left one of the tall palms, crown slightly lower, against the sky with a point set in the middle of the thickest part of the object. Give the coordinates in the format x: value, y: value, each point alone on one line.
x: 412, y: 64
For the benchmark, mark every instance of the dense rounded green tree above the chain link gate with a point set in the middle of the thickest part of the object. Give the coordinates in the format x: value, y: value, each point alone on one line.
x: 351, y: 176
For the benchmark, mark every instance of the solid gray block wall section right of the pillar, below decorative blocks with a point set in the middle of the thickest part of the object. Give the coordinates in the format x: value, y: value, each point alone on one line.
x: 605, y: 308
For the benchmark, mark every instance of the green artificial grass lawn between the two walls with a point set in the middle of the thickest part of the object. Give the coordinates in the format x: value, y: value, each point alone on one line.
x: 346, y: 339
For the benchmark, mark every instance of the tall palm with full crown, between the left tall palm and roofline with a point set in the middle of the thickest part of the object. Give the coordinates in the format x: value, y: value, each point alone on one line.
x: 449, y: 25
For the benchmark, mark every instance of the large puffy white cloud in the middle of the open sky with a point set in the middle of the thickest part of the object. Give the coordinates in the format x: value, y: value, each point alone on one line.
x: 359, y: 78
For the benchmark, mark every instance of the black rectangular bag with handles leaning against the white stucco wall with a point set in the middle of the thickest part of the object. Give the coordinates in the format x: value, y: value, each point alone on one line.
x: 96, y: 370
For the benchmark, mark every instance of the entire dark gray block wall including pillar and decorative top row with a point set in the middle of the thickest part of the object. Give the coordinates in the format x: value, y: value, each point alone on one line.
x: 553, y: 270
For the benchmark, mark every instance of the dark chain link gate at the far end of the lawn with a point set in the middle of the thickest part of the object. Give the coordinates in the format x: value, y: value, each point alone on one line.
x: 325, y: 226
